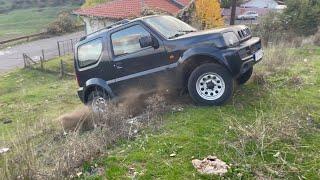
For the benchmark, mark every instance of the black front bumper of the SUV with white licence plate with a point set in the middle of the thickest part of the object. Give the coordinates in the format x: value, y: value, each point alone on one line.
x: 244, y: 57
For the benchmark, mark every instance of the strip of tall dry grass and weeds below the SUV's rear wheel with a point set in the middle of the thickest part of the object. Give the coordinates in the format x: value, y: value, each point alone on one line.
x: 55, y: 154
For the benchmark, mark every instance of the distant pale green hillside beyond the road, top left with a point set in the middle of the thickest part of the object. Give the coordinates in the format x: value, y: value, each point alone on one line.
x: 28, y: 18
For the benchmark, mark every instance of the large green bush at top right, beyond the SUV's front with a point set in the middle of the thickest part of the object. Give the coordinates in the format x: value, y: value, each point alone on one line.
x: 301, y: 18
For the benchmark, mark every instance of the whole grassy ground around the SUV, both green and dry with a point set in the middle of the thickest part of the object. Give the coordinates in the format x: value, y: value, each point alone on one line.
x: 269, y: 130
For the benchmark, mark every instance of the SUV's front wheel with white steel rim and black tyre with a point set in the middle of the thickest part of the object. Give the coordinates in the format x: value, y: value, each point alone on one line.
x: 210, y: 84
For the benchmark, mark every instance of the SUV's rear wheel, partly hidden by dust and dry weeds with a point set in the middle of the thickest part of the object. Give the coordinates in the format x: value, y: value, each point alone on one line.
x: 98, y: 101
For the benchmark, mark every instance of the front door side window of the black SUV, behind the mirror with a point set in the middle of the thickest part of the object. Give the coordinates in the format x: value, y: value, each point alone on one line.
x: 126, y: 41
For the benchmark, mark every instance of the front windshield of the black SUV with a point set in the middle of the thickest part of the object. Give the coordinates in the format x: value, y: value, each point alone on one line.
x: 169, y: 26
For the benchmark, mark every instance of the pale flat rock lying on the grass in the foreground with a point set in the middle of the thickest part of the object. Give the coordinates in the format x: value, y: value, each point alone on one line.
x: 211, y: 165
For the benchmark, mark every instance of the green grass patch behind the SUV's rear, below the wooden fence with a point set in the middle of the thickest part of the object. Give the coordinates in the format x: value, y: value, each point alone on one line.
x: 28, y: 96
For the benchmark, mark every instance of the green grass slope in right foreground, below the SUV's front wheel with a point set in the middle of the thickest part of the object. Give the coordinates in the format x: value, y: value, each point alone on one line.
x: 246, y: 133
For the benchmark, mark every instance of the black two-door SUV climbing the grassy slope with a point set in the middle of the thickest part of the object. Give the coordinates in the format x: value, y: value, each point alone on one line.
x: 159, y: 52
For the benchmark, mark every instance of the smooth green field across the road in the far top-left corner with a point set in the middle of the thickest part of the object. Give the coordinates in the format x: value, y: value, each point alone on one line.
x: 28, y: 21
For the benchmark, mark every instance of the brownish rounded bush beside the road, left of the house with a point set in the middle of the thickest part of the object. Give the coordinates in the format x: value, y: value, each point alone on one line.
x: 63, y: 24
